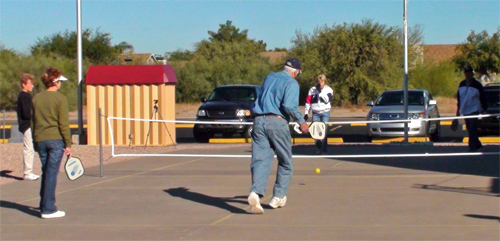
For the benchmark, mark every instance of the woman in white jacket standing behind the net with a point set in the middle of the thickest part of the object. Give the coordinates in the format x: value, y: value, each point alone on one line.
x: 318, y: 101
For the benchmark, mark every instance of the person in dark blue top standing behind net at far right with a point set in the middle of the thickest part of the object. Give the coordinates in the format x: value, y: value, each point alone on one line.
x: 471, y: 101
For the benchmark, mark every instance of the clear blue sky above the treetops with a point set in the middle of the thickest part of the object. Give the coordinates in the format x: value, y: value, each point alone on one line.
x: 159, y: 26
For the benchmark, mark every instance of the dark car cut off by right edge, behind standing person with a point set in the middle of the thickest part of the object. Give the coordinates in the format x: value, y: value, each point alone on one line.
x: 491, y: 124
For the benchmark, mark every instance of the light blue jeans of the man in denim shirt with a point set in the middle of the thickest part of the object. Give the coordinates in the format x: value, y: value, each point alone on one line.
x: 271, y: 135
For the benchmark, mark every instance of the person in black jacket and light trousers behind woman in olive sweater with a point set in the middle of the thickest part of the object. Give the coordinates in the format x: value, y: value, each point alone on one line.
x: 24, y: 114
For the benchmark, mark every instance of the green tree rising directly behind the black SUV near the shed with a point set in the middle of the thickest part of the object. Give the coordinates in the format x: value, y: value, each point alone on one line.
x: 227, y: 57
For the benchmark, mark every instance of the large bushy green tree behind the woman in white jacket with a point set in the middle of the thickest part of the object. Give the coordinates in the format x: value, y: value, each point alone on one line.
x: 360, y: 59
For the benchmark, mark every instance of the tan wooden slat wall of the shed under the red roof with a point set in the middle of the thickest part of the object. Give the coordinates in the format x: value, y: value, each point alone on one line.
x: 131, y: 101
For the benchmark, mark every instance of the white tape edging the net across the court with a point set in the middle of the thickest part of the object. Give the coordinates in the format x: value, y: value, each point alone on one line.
x: 109, y: 120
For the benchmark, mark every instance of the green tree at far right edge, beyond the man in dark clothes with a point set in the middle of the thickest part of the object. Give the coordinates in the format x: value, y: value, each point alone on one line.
x: 481, y: 51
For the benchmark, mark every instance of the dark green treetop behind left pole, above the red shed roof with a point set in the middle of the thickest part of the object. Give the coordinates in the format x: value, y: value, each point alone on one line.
x: 96, y: 46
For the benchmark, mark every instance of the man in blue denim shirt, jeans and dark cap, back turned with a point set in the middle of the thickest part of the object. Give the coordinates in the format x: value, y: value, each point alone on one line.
x: 277, y: 104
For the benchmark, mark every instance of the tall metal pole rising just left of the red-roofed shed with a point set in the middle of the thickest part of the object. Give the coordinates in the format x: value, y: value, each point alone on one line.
x: 79, y: 53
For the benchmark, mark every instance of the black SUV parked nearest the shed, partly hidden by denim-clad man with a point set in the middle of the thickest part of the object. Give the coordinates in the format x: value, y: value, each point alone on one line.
x: 228, y: 103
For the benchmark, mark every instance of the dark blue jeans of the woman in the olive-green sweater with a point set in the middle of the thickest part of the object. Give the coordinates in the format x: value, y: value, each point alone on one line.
x: 51, y: 153
